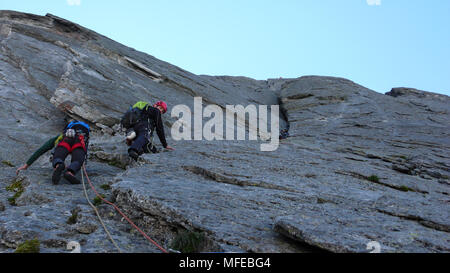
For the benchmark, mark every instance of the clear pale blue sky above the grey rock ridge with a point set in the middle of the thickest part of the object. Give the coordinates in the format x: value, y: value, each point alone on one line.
x: 377, y: 43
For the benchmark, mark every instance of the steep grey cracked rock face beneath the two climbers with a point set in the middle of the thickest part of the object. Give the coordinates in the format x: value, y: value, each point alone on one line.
x: 359, y: 166
